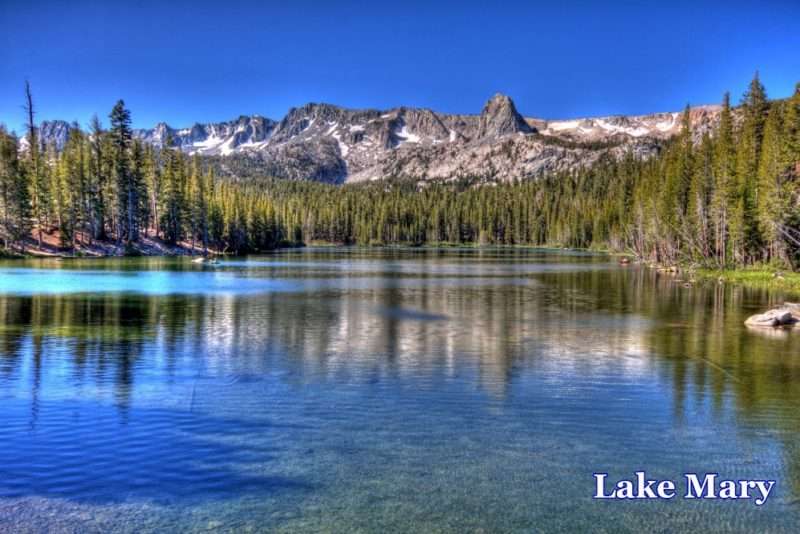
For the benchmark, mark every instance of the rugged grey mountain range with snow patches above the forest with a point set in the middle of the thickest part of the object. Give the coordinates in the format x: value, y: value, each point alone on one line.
x: 334, y: 144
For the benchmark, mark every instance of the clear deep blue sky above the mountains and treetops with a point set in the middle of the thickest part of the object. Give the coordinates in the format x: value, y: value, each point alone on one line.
x: 183, y: 62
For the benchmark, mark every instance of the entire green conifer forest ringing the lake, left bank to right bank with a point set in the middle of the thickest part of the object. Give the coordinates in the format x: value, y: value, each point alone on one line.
x: 727, y: 197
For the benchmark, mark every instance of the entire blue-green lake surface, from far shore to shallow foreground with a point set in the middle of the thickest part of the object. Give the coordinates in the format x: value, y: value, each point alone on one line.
x: 391, y: 390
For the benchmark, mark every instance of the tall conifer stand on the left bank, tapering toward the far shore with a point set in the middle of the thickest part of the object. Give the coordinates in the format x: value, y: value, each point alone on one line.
x: 105, y: 185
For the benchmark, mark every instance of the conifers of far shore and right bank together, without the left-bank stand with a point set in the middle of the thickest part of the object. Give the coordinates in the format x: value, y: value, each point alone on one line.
x: 726, y: 197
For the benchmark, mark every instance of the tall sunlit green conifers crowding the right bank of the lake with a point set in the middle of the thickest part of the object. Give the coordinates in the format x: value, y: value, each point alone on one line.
x: 729, y: 198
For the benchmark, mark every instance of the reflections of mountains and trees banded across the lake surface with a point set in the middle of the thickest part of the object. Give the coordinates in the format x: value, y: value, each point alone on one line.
x: 627, y: 321
